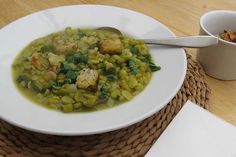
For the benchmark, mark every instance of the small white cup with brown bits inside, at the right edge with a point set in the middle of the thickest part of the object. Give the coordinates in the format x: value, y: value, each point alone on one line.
x: 218, y: 61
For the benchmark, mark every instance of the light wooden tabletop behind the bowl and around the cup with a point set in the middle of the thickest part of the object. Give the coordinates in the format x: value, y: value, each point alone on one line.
x: 181, y: 16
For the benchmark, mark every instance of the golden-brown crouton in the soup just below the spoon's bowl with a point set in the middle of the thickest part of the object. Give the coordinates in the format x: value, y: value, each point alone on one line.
x: 110, y: 46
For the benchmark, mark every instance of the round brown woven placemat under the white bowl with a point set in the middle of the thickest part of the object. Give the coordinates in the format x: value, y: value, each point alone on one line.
x: 132, y: 141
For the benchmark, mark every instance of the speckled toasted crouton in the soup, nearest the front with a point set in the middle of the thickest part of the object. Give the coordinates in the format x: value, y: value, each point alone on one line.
x: 87, y: 79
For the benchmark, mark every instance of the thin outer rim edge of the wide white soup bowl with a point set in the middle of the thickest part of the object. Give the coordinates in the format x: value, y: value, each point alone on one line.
x: 148, y: 114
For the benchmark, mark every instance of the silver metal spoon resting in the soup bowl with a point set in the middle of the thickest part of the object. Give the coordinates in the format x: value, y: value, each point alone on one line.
x: 186, y: 42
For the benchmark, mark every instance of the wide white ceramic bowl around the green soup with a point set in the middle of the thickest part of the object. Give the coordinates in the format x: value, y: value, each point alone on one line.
x: 18, y: 110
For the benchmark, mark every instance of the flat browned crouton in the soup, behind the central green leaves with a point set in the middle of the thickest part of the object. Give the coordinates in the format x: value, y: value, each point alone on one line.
x: 66, y: 49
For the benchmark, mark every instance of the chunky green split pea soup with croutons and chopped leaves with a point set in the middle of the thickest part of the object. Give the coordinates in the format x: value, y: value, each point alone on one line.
x: 83, y: 70
